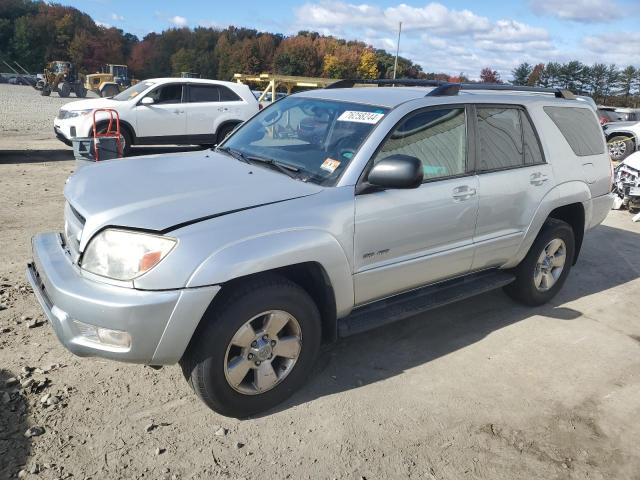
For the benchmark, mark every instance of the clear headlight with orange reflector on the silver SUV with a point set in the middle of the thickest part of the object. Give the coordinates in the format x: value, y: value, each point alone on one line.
x: 125, y: 255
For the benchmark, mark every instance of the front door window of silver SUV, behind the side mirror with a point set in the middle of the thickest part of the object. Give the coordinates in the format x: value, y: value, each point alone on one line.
x: 437, y: 137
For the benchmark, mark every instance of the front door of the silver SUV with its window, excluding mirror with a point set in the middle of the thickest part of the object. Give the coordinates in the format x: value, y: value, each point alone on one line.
x: 408, y: 238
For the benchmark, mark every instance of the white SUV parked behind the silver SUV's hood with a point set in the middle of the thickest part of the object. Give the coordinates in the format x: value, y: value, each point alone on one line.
x: 163, y: 111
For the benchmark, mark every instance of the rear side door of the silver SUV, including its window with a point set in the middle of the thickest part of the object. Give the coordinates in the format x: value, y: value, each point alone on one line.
x: 513, y: 178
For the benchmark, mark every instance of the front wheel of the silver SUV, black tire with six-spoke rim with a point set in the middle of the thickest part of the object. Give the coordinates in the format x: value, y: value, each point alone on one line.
x: 207, y: 367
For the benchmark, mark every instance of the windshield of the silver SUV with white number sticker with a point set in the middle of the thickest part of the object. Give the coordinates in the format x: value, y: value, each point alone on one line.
x: 317, y: 138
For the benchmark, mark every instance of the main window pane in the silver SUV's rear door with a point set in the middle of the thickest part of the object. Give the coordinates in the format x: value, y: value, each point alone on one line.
x: 499, y: 138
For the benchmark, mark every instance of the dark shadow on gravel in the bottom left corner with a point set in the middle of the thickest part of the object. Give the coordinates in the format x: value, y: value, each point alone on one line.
x: 14, y: 446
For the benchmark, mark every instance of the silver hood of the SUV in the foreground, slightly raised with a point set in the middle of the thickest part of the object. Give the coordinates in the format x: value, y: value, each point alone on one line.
x: 159, y: 192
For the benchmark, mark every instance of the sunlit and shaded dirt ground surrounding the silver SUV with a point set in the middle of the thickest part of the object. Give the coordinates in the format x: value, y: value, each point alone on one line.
x: 484, y: 389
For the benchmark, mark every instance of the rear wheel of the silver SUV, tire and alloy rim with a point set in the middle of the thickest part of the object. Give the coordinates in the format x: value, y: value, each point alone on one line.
x: 525, y: 289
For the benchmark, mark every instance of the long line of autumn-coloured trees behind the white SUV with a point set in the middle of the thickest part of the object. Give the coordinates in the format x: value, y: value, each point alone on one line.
x: 34, y: 33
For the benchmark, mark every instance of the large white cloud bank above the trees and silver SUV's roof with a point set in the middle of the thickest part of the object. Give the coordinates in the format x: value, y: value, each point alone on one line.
x: 438, y: 38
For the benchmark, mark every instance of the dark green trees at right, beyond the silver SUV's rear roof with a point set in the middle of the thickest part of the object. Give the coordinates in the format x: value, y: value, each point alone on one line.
x: 607, y: 84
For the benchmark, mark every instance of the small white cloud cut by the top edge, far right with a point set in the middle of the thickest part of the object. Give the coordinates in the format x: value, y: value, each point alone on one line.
x: 583, y: 11
